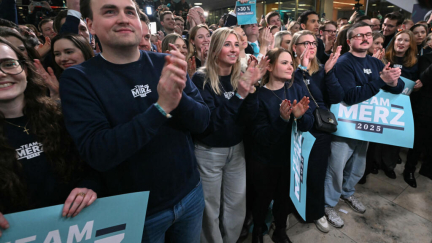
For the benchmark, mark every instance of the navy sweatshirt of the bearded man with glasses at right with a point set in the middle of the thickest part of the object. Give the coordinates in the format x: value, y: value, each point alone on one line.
x: 360, y: 78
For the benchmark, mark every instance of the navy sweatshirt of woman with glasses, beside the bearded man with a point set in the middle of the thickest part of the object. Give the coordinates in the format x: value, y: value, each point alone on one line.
x: 325, y: 87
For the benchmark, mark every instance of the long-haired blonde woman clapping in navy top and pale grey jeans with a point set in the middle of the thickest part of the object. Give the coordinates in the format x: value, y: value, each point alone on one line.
x: 219, y: 150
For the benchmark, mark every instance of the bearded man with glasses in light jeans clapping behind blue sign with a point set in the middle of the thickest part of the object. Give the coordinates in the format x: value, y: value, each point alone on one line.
x: 361, y: 77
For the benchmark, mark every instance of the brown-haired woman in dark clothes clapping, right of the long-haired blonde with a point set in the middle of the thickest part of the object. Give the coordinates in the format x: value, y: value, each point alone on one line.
x: 281, y: 102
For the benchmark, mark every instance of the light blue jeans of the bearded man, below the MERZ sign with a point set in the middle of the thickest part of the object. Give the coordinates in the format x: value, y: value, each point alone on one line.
x: 346, y: 167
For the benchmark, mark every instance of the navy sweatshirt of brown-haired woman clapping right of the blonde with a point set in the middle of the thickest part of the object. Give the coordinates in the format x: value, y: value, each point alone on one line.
x: 271, y: 134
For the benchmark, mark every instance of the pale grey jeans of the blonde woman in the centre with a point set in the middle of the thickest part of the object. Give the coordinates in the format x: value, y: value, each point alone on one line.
x: 223, y: 174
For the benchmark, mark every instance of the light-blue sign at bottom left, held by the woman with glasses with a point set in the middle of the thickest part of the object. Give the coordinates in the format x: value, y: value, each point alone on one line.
x: 108, y: 220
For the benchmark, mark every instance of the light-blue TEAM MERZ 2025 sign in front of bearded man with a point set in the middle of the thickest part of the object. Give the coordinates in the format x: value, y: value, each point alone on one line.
x: 385, y: 118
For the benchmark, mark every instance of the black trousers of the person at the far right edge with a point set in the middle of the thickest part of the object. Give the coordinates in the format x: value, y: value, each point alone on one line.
x: 422, y: 144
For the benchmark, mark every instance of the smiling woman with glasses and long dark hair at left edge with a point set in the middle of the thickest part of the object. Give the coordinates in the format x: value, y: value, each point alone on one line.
x: 39, y: 166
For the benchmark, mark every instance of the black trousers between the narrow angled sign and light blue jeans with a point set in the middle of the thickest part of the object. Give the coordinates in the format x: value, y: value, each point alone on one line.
x: 317, y: 168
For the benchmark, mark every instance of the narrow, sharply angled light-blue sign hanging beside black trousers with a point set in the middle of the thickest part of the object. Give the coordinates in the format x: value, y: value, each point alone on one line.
x: 301, y: 146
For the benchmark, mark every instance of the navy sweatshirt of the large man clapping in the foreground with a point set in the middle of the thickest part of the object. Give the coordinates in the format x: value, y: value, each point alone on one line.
x: 110, y: 114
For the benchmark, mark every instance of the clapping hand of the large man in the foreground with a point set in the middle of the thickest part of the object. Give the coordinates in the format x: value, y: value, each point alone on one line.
x: 172, y: 81
